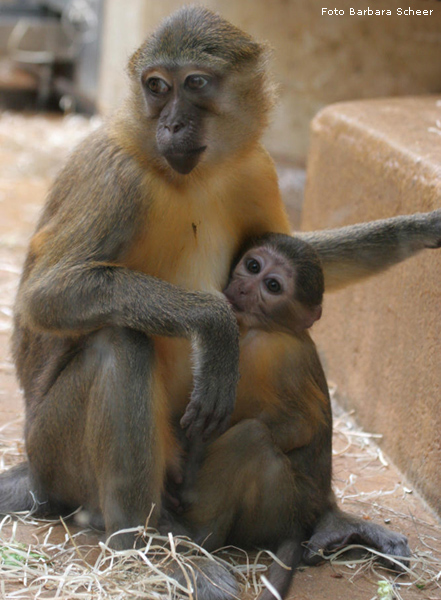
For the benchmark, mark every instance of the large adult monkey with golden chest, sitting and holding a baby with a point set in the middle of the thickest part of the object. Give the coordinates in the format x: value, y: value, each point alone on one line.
x: 135, y: 241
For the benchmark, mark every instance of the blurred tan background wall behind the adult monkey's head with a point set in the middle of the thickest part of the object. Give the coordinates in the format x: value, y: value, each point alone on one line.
x: 317, y: 59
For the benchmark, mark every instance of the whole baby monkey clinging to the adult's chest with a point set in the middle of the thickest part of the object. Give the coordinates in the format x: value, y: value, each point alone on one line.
x: 279, y: 443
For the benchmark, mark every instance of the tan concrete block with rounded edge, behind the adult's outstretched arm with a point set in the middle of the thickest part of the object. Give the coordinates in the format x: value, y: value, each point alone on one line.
x: 380, y: 339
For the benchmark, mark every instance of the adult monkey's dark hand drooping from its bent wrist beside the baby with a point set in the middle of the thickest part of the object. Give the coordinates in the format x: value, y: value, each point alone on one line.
x: 216, y: 373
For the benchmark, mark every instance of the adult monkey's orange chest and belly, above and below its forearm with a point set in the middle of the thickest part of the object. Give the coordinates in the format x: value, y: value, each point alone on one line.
x: 189, y: 238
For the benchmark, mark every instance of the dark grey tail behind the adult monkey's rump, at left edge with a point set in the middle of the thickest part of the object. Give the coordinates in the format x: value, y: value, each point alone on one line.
x: 15, y: 489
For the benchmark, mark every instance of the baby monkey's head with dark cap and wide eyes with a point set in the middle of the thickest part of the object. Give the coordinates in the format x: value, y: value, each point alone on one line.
x: 276, y: 286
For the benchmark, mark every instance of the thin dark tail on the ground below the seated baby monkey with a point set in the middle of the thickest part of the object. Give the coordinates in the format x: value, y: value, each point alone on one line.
x: 290, y: 553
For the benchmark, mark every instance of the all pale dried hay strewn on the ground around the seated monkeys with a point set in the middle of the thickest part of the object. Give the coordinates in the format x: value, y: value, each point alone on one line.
x: 72, y: 569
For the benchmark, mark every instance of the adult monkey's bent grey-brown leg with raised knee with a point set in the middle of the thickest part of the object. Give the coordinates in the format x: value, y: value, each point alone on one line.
x: 97, y: 439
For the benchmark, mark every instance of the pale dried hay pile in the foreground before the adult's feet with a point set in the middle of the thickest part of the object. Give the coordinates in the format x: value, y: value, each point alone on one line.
x: 70, y: 570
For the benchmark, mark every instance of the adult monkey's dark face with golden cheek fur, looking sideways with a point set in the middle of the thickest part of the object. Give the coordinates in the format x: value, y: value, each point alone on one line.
x: 201, y: 115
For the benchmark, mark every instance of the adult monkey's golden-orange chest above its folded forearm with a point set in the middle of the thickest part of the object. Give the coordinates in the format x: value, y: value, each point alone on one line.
x: 189, y: 235
